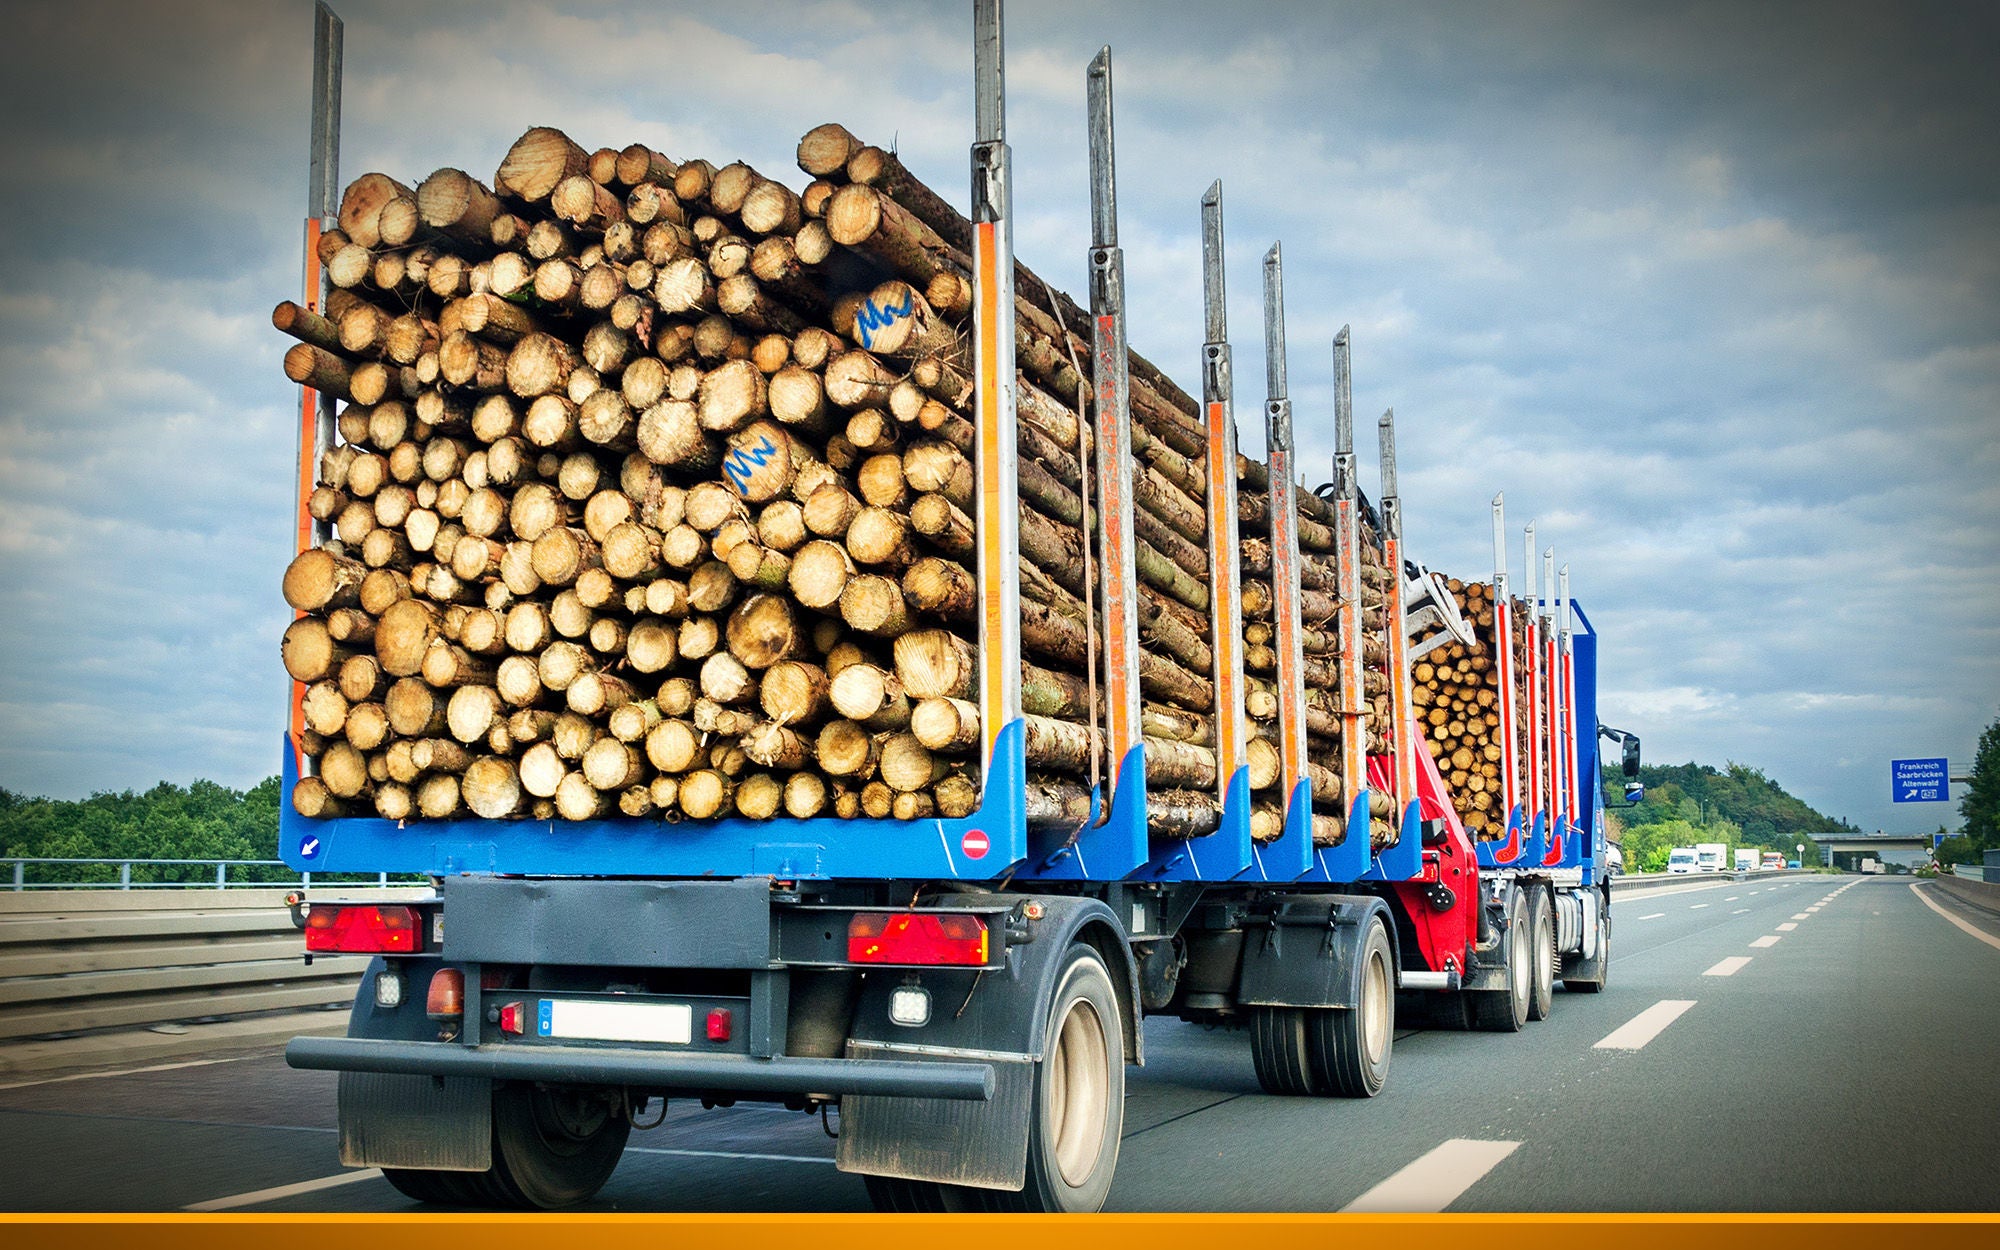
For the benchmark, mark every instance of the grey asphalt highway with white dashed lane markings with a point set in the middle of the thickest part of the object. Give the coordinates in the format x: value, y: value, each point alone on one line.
x: 1805, y: 1045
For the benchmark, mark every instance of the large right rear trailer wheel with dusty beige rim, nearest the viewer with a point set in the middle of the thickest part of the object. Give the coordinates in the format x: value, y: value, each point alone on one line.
x: 1079, y: 1097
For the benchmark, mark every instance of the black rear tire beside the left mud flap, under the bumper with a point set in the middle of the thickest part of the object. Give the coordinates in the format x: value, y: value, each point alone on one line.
x: 555, y: 1145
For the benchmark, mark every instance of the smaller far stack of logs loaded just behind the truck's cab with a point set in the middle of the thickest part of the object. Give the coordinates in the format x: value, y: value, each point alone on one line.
x: 1457, y: 691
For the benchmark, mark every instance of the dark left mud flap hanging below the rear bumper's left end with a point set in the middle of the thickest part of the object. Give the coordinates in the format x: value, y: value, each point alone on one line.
x: 437, y: 1123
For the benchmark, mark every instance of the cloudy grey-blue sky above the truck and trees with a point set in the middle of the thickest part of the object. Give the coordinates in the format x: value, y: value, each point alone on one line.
x: 1711, y: 291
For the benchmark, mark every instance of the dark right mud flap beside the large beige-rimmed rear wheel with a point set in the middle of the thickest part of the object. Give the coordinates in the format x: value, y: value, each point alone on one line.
x: 981, y: 1145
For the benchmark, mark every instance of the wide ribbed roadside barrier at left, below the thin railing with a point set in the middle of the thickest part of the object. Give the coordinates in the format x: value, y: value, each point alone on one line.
x: 89, y: 961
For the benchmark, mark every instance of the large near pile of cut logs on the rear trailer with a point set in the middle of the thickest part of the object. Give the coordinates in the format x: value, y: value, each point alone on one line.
x: 655, y: 497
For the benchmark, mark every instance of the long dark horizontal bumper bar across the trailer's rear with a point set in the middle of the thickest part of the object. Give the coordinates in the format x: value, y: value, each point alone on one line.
x: 649, y: 1069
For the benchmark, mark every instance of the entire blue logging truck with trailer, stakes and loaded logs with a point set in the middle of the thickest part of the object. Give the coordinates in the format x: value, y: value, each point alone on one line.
x: 869, y: 687
